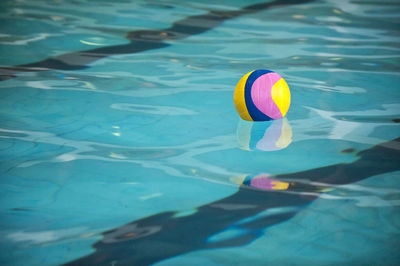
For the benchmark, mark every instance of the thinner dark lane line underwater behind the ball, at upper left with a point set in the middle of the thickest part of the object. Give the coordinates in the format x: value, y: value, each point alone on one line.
x: 143, y: 40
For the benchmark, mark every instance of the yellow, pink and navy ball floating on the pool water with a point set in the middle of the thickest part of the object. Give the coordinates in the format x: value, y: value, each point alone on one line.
x: 262, y: 95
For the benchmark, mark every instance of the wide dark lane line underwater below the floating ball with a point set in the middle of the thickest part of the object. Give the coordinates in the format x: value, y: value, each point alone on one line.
x: 167, y: 234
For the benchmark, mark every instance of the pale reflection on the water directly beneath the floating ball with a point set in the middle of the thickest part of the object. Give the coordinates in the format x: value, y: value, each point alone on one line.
x: 268, y: 136
